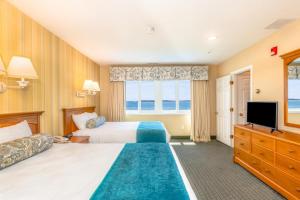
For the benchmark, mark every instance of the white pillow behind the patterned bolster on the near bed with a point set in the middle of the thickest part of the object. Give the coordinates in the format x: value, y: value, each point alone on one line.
x: 17, y: 131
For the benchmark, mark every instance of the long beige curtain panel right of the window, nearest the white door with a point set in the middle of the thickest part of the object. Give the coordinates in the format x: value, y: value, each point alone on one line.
x: 200, y: 108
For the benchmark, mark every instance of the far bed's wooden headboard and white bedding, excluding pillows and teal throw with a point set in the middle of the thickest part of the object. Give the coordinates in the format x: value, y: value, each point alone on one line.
x: 110, y: 132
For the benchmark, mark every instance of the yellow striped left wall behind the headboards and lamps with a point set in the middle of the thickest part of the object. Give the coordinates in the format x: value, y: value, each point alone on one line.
x: 61, y: 69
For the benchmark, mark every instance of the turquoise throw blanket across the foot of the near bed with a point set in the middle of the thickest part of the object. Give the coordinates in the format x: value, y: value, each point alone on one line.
x: 143, y: 172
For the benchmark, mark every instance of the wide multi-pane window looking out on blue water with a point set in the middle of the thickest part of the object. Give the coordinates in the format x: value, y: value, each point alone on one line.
x: 158, y: 96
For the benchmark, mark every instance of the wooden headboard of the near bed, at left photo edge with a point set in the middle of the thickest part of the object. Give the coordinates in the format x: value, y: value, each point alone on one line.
x: 33, y: 119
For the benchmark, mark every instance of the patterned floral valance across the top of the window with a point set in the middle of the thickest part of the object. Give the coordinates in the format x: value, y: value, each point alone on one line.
x: 119, y: 73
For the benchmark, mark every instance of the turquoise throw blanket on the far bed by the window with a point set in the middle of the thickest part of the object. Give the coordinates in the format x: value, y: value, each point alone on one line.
x: 150, y: 132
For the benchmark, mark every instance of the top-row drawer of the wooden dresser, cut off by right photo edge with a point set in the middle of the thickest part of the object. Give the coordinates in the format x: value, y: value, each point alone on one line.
x: 288, y: 149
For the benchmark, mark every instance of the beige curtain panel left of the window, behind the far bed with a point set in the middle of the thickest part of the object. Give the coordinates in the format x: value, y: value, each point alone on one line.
x: 116, y: 110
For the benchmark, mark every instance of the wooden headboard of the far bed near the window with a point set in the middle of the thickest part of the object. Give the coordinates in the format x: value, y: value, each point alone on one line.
x: 69, y: 125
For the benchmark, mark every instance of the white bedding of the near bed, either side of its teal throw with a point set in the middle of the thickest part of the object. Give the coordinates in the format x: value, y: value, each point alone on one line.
x: 66, y: 171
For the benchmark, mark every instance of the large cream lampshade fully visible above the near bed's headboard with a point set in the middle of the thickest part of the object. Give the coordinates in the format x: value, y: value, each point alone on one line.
x: 21, y: 67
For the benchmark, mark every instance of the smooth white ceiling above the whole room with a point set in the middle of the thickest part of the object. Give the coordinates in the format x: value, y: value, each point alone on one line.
x: 117, y: 31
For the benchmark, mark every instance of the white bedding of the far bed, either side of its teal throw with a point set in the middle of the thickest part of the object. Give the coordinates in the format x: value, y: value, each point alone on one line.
x: 113, y: 132
